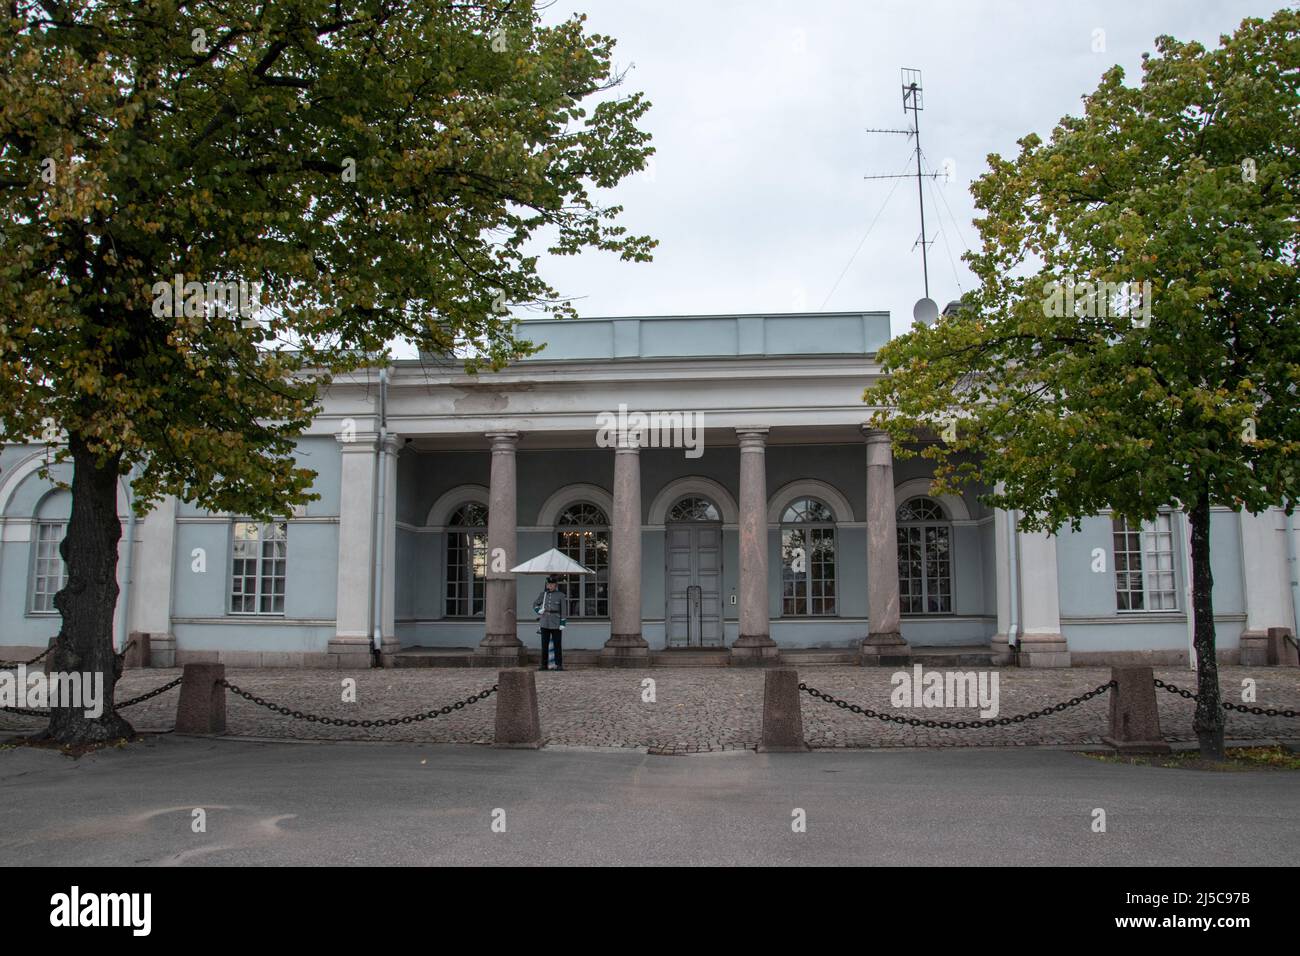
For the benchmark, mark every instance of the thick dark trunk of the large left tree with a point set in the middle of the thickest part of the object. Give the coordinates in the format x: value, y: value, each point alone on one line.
x: 89, y: 602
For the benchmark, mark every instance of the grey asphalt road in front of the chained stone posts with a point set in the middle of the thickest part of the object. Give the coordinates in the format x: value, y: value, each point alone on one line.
x: 397, y: 804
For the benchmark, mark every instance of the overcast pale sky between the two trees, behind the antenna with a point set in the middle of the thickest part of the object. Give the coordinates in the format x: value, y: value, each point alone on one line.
x: 760, y: 110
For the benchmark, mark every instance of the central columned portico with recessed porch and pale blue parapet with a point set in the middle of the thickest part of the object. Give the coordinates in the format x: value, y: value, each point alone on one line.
x: 774, y: 526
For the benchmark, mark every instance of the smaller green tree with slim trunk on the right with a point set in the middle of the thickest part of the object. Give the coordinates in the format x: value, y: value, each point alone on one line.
x: 1136, y: 338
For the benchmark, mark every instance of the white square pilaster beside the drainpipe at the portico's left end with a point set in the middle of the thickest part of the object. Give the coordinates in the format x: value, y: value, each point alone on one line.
x: 352, y: 644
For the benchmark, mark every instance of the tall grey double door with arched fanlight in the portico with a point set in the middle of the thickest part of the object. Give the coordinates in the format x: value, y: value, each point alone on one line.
x: 694, y: 553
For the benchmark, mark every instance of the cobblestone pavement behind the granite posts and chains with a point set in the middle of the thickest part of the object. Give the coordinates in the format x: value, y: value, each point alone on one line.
x: 696, y: 710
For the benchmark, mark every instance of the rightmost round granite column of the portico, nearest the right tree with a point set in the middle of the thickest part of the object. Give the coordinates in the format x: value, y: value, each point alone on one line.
x: 885, y: 644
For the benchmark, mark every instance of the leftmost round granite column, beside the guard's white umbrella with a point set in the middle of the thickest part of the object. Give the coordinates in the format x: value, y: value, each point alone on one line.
x: 501, y: 644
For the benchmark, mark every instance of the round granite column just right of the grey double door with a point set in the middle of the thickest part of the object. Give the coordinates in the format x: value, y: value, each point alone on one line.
x: 755, y: 646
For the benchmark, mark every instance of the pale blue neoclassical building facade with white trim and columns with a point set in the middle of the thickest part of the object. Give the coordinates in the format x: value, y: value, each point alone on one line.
x: 716, y: 474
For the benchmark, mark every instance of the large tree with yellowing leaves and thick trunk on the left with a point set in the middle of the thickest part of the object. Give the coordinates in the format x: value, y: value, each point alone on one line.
x: 379, y: 167
